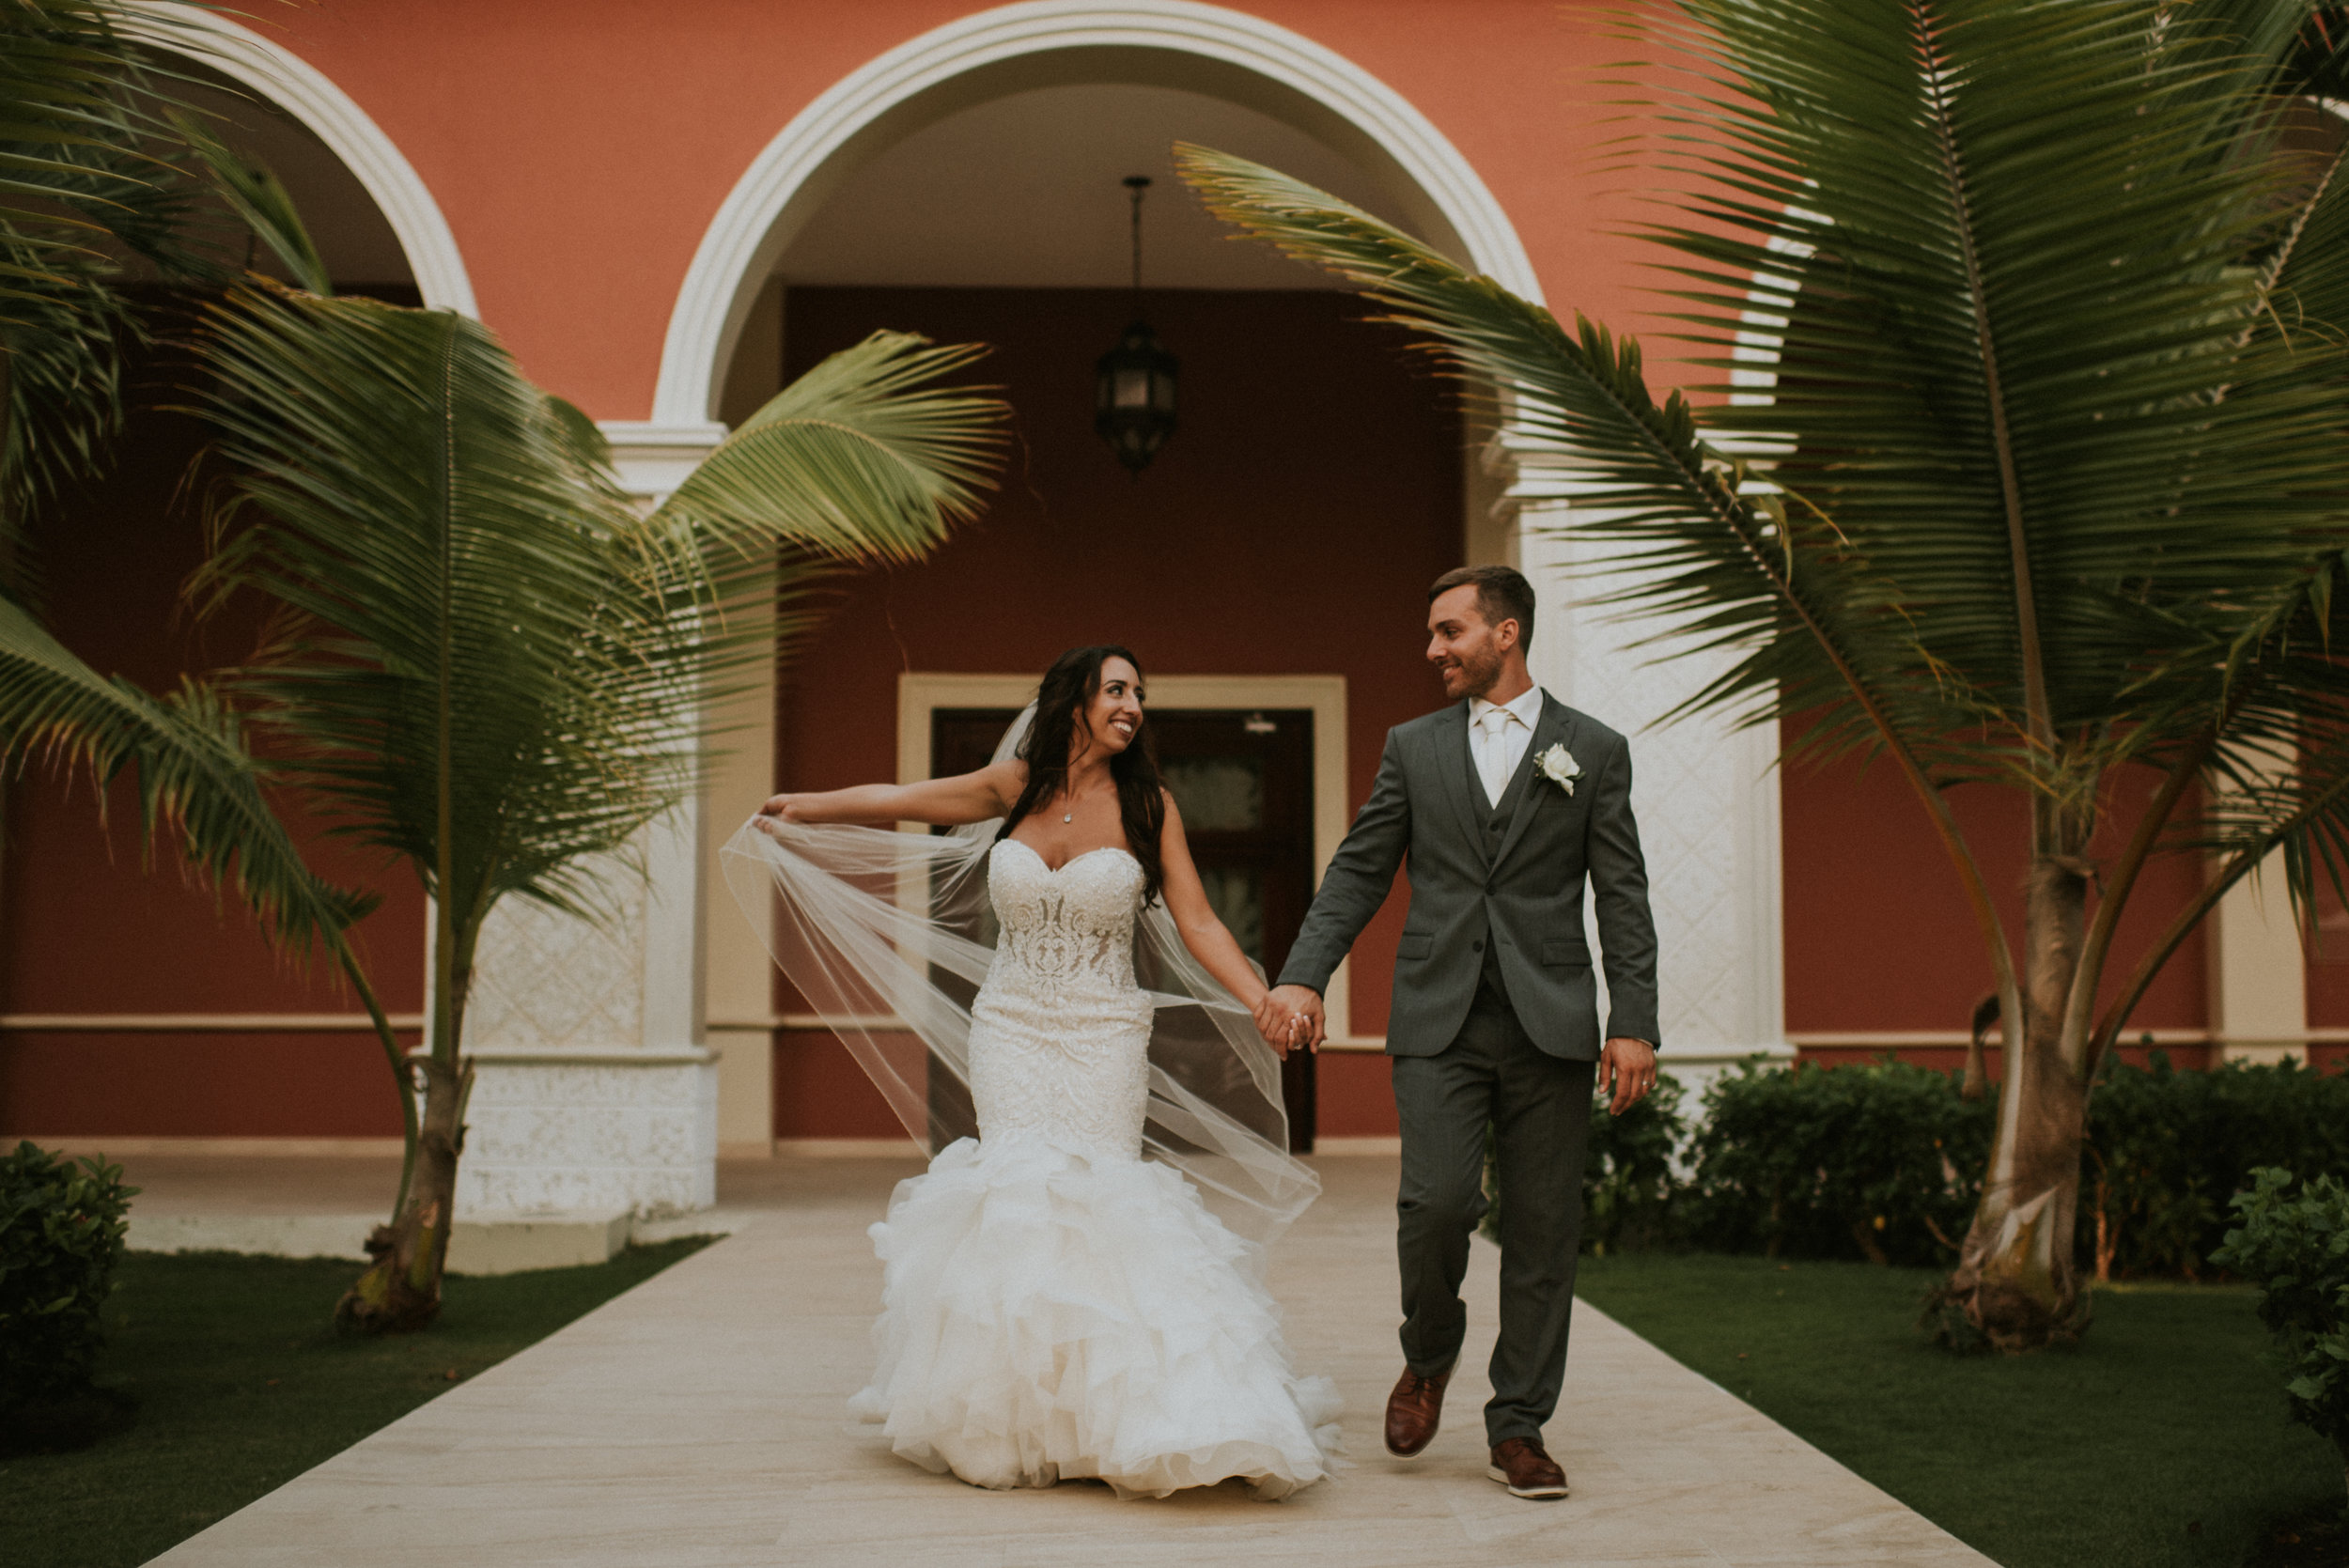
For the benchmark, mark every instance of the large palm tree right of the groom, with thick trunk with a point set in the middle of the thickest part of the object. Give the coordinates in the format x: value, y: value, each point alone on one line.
x: 2045, y: 489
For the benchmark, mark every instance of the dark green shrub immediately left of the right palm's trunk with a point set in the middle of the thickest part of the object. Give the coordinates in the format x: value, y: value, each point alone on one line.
x: 1871, y: 1161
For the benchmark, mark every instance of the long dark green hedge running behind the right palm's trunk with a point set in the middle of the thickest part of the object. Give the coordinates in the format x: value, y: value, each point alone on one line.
x: 1885, y: 1163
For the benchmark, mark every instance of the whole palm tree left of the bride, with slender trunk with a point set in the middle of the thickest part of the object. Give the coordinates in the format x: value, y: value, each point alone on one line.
x: 492, y: 663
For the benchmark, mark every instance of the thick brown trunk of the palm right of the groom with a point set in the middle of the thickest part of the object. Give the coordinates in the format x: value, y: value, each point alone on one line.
x: 2017, y: 1283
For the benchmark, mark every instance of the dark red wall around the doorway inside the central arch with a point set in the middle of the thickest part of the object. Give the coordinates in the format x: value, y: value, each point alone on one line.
x: 1291, y: 525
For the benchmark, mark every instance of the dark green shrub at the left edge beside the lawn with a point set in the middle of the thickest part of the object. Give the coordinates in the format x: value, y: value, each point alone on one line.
x: 60, y: 1241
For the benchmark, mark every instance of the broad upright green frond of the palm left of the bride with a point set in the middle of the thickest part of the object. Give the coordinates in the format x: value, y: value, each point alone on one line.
x: 426, y: 511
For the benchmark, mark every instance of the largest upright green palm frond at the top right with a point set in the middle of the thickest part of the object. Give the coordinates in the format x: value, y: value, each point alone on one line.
x: 2012, y: 360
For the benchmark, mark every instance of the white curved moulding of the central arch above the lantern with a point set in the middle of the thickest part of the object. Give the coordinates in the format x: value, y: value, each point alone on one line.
x: 1011, y: 48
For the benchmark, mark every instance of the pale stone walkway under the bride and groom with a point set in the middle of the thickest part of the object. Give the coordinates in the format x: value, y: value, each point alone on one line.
x: 699, y: 1421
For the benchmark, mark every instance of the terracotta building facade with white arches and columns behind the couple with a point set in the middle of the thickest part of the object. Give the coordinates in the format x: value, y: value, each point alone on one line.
x: 668, y: 212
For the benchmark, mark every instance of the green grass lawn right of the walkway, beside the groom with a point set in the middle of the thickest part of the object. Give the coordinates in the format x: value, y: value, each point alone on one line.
x: 2160, y: 1442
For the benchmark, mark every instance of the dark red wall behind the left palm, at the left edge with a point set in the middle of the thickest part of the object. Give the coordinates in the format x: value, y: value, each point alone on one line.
x: 88, y: 928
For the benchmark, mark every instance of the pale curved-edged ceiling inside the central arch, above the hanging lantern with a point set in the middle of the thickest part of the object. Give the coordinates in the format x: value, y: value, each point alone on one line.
x: 1023, y: 194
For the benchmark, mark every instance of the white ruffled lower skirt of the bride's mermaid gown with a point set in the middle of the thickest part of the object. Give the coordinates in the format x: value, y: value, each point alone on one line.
x: 1054, y: 1316
